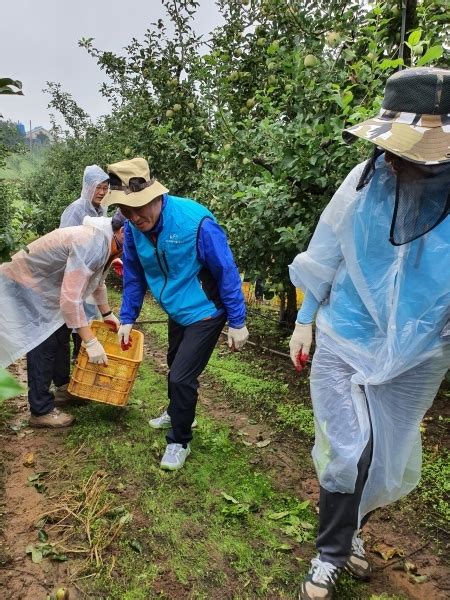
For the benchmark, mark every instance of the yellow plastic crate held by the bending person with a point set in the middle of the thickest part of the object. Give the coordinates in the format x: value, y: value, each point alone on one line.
x: 111, y: 384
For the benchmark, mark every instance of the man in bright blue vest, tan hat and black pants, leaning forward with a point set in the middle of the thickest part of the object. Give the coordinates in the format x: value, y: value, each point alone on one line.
x: 174, y: 247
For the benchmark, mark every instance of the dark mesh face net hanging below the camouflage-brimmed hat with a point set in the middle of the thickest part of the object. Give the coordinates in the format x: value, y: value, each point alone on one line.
x: 422, y: 201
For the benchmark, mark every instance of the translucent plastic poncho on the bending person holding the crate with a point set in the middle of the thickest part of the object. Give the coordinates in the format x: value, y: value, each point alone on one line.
x: 44, y: 285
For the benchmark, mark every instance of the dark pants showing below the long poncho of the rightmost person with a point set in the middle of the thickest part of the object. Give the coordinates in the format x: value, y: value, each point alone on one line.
x: 338, y: 514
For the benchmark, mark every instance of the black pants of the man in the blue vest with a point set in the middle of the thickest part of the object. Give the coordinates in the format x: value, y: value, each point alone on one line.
x: 189, y: 351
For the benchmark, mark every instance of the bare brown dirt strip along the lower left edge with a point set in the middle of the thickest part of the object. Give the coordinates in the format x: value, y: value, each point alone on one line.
x: 23, y: 505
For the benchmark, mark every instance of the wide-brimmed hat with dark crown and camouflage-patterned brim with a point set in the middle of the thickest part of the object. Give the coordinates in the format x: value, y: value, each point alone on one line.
x: 414, y: 121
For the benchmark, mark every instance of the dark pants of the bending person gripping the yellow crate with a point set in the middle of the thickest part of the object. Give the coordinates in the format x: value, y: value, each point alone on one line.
x: 50, y: 361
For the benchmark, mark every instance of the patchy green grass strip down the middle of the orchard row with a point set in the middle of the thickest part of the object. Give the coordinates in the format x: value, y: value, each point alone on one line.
x: 217, y: 528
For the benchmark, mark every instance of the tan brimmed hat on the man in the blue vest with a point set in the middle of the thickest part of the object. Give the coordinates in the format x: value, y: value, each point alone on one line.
x: 131, y: 184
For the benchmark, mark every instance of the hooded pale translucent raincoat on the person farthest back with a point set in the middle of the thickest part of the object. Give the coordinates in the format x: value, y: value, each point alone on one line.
x: 75, y: 212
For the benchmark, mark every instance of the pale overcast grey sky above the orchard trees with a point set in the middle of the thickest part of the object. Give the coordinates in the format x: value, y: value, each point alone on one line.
x: 39, y: 43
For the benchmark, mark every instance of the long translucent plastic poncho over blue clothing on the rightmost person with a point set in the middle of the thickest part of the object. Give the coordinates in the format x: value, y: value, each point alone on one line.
x: 382, y: 329
